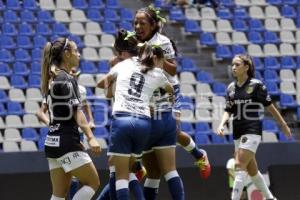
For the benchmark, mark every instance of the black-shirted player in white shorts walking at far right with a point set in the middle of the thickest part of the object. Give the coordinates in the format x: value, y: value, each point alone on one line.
x: 246, y: 97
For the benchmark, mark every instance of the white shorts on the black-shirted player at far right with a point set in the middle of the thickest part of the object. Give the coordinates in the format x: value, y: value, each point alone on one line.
x: 248, y: 141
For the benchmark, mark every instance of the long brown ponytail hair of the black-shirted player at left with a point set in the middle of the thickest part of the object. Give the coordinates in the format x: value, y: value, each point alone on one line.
x: 52, y: 58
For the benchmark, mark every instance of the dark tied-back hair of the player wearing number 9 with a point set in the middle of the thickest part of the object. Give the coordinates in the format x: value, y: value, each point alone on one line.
x: 146, y: 54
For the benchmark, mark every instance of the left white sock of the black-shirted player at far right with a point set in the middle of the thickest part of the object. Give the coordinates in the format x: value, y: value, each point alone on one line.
x: 238, y: 184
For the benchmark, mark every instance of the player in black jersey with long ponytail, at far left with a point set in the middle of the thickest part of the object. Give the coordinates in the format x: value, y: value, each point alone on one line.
x: 63, y: 150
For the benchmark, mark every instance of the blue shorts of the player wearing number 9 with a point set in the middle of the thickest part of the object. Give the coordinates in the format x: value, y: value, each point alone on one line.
x: 129, y: 135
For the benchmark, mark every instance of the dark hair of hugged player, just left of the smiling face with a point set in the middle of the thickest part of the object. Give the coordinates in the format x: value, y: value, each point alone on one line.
x: 126, y: 42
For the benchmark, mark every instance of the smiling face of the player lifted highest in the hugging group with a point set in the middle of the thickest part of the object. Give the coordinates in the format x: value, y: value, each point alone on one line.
x: 143, y: 26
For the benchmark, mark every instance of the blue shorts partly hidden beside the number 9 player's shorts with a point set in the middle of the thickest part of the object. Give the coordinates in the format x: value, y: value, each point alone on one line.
x: 163, y: 133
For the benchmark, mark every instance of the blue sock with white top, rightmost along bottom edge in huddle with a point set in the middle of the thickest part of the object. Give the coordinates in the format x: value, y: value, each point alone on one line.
x: 175, y: 185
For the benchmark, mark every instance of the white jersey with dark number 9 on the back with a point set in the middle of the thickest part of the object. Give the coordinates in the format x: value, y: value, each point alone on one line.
x: 133, y: 88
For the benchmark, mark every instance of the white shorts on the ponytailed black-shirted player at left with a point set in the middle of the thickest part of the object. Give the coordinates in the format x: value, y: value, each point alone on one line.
x: 70, y: 161
